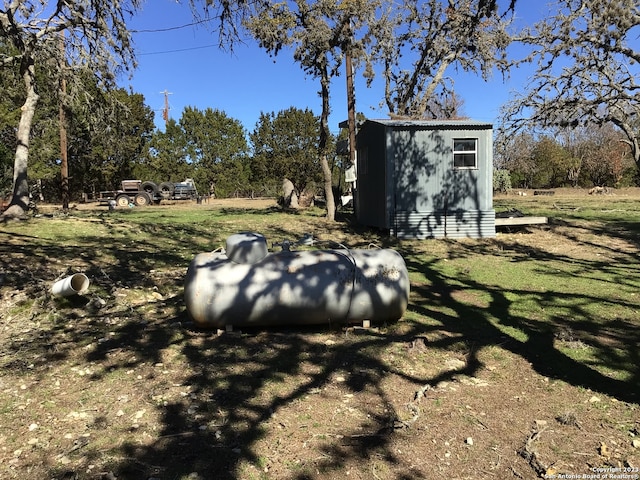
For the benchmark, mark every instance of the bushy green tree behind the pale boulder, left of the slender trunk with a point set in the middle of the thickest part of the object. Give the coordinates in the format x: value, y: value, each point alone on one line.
x: 285, y: 145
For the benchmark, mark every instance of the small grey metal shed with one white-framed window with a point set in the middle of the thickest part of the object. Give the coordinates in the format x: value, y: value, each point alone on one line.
x: 426, y: 178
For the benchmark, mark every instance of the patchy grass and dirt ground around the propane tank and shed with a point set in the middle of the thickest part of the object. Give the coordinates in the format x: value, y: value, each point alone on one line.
x: 518, y: 356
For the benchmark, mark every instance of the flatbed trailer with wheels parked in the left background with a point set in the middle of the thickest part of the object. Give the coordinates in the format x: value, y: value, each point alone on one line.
x: 139, y: 193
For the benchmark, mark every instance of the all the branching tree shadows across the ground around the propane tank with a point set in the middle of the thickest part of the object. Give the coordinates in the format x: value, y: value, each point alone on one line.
x: 234, y: 387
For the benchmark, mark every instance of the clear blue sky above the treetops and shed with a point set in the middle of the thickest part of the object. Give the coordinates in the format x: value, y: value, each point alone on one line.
x: 187, y: 63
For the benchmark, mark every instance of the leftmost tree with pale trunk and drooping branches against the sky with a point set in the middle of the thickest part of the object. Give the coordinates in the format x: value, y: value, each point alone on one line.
x: 96, y: 40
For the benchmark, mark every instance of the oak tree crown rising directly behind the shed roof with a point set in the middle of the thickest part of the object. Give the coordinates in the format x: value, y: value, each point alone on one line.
x: 418, y: 42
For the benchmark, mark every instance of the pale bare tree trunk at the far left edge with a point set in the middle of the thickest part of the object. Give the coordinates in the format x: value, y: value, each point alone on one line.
x: 19, y: 204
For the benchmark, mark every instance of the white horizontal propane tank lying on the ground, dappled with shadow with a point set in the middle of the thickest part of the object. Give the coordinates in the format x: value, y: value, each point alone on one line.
x: 247, y: 286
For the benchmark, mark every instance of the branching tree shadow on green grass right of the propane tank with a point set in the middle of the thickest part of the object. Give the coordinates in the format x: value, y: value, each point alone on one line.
x: 614, y: 341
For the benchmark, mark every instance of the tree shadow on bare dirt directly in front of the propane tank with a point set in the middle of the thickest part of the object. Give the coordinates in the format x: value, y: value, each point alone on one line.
x: 229, y: 410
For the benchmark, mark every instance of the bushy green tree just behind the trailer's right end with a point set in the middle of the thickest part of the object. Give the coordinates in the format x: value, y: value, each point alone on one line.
x: 218, y: 149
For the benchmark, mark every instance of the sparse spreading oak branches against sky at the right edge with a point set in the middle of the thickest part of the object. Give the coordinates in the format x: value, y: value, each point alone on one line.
x: 586, y: 70
